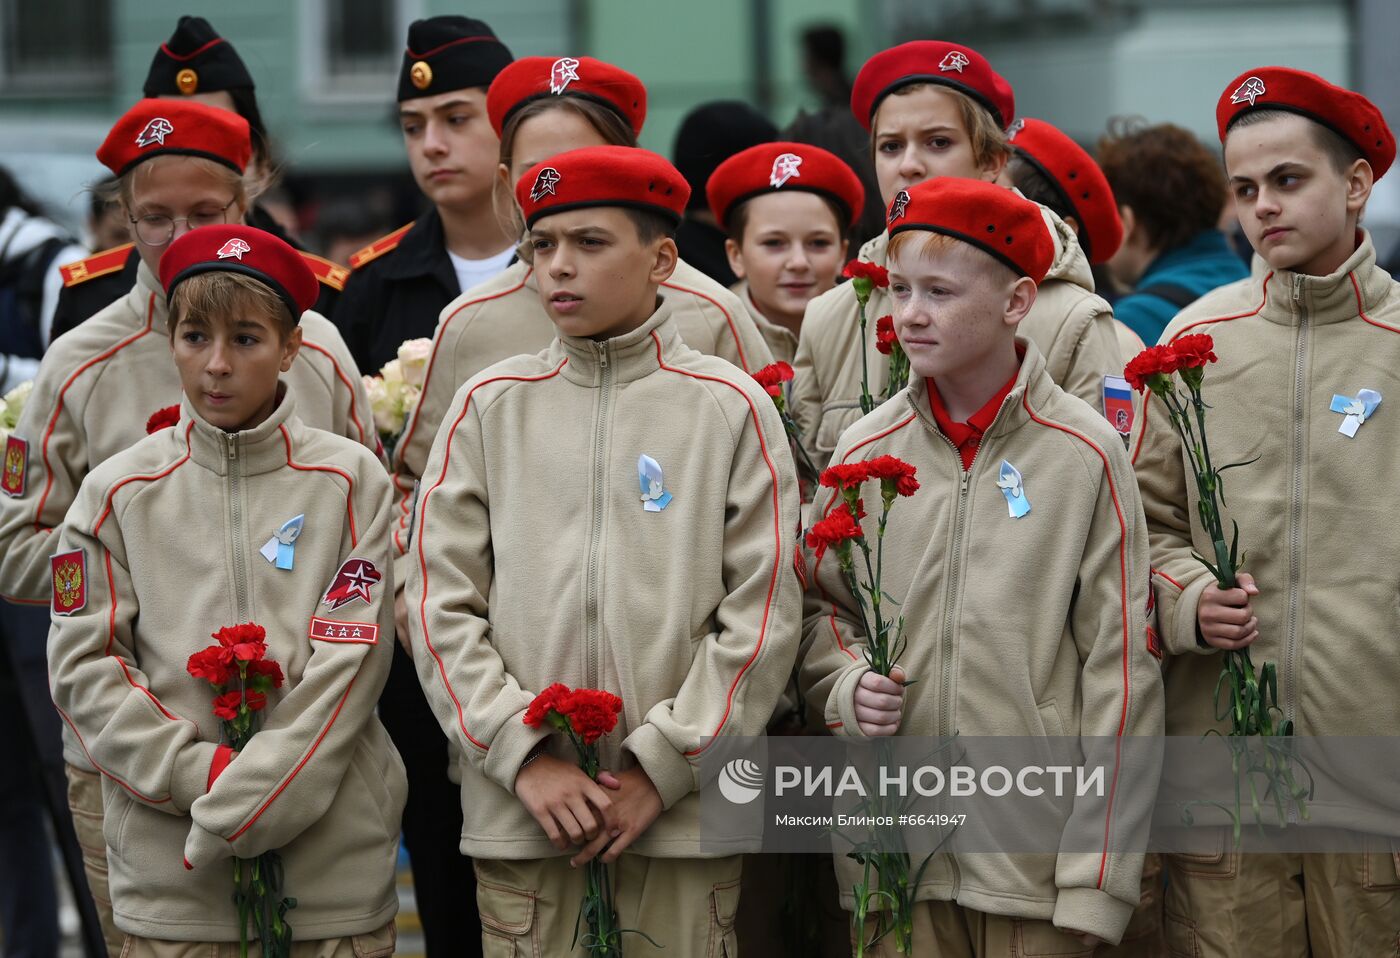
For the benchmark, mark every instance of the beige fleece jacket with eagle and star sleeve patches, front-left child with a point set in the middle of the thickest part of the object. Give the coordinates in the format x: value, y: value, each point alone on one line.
x: 167, y: 537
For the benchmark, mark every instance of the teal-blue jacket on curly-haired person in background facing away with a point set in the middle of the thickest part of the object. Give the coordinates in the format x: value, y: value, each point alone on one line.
x: 1175, y: 279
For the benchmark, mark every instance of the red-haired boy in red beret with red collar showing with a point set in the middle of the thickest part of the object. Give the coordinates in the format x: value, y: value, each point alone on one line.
x: 1020, y: 568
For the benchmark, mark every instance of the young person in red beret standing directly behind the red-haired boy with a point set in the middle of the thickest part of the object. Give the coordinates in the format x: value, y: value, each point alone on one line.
x: 940, y: 110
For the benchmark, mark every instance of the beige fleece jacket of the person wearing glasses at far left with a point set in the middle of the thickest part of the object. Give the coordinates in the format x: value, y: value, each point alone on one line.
x: 97, y: 387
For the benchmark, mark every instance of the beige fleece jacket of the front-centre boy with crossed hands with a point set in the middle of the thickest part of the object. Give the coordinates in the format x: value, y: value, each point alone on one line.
x: 534, y: 561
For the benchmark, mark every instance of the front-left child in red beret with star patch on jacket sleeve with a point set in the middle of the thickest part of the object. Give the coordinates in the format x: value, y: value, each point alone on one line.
x: 234, y: 520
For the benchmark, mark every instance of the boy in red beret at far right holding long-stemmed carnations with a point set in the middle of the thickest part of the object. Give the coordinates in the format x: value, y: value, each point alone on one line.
x: 1307, y: 365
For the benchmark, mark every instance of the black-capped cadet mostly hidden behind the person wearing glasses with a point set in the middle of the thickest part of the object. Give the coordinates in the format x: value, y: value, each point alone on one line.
x: 194, y: 64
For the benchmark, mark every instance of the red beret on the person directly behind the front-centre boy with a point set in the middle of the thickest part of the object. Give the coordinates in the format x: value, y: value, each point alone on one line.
x: 533, y: 78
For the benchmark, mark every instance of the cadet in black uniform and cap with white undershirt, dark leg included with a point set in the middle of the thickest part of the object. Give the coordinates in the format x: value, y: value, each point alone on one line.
x: 400, y: 286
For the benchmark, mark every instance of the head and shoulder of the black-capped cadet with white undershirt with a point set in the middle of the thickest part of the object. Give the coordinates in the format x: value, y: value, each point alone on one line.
x: 404, y: 281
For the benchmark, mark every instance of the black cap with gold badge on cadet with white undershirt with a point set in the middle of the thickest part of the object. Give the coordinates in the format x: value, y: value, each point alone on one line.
x: 450, y: 54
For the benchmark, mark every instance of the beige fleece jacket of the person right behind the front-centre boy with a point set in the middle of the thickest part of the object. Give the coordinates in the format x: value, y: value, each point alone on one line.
x: 505, y: 317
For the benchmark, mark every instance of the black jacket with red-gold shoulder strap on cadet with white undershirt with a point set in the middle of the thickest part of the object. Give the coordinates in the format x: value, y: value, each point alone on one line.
x: 400, y: 286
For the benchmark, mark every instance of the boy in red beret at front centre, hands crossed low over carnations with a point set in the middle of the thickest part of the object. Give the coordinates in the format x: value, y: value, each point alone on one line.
x: 535, y: 561
